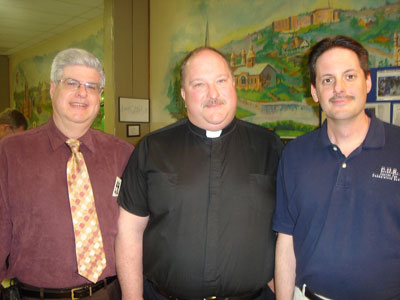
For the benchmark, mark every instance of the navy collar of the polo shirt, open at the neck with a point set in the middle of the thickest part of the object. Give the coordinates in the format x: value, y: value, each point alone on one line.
x: 375, y: 137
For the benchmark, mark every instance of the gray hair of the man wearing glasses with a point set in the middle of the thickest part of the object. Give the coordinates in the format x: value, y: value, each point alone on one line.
x: 75, y: 56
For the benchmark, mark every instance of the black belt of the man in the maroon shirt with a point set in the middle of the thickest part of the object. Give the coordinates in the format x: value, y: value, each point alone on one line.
x: 73, y: 293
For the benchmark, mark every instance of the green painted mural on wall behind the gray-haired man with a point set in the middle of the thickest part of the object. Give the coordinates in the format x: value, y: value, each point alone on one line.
x: 31, y: 82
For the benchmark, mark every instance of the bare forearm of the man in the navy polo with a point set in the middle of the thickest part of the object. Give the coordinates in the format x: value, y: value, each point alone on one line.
x: 285, y: 268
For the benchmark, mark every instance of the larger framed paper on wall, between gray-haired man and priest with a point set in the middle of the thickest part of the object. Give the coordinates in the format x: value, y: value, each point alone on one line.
x: 134, y: 110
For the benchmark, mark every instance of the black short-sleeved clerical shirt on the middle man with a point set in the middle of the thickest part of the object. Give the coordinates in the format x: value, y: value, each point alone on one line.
x: 210, y: 202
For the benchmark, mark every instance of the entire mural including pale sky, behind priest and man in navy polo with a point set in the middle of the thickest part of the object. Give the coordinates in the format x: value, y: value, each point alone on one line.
x: 269, y: 61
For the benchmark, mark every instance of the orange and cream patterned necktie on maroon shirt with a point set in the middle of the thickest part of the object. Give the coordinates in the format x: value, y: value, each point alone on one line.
x: 90, y: 254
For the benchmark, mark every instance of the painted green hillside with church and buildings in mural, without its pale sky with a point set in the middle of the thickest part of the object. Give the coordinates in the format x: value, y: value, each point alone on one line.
x: 269, y: 64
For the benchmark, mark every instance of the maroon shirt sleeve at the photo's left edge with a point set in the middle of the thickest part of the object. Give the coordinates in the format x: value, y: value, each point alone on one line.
x: 5, y: 221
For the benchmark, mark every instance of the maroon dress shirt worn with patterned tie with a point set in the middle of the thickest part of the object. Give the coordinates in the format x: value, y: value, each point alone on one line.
x: 35, y: 219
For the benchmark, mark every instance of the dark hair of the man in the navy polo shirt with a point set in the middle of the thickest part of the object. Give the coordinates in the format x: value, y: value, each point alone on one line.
x: 339, y: 41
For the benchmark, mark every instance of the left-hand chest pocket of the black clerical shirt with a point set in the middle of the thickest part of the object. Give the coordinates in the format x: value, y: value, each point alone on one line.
x: 162, y: 192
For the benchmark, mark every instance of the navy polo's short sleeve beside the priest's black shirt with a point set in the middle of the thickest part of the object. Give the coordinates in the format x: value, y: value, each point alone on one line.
x: 282, y: 220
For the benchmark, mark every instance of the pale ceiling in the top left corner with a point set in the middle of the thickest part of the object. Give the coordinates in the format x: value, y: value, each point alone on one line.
x: 25, y: 23
